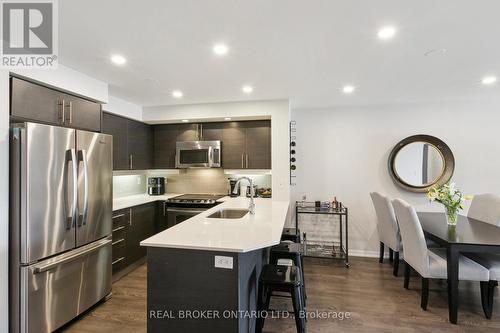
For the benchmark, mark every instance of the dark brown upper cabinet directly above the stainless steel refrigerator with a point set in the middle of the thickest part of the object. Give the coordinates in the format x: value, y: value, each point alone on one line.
x: 32, y: 102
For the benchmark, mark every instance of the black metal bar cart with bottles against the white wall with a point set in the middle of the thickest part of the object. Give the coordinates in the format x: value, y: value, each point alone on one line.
x: 333, y: 249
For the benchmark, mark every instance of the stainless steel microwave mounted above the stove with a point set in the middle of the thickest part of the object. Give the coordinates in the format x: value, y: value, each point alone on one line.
x: 197, y: 154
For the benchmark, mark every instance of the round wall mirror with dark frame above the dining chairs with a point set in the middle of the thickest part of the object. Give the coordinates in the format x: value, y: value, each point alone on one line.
x: 421, y: 161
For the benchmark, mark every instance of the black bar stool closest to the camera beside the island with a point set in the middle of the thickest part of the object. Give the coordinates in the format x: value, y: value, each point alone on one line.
x: 283, y: 279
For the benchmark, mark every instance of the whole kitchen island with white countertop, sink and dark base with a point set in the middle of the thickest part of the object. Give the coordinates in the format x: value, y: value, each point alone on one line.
x: 203, y: 273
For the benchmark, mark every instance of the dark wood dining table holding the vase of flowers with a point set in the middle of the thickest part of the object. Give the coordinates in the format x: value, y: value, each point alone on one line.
x: 468, y: 236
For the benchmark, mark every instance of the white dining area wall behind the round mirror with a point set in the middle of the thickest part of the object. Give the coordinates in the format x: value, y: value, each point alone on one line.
x: 344, y: 152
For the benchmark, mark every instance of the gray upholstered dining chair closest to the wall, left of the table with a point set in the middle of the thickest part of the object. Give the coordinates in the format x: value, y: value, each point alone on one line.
x: 388, y: 229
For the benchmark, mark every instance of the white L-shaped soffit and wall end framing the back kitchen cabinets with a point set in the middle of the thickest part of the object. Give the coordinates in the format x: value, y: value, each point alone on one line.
x: 278, y: 111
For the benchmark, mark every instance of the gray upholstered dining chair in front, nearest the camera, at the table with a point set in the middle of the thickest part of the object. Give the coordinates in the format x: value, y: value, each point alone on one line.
x: 430, y: 263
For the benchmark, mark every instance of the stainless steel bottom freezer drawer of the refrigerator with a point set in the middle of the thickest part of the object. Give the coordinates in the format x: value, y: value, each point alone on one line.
x: 57, y: 290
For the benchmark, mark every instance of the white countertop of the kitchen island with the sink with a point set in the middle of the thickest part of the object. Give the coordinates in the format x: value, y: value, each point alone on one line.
x: 251, y: 232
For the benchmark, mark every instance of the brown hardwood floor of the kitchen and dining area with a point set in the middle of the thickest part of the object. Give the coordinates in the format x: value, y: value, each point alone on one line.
x: 374, y: 298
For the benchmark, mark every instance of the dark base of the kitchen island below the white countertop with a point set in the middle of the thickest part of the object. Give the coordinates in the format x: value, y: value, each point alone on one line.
x: 184, y: 282
